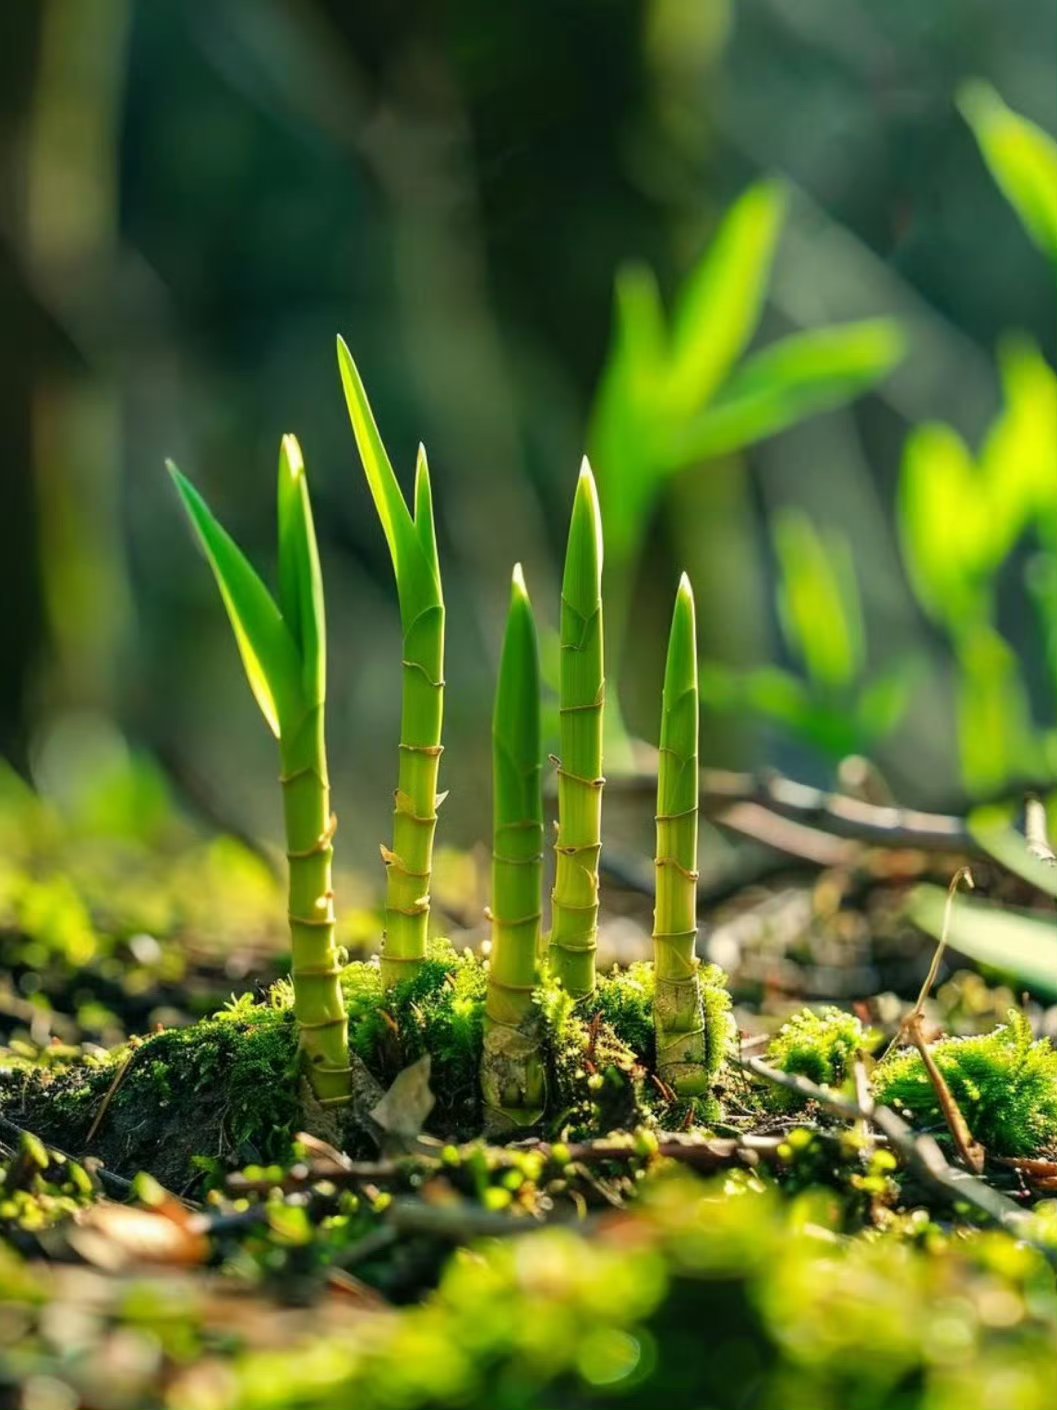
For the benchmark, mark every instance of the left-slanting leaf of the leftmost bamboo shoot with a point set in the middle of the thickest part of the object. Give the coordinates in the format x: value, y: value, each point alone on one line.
x: 268, y: 651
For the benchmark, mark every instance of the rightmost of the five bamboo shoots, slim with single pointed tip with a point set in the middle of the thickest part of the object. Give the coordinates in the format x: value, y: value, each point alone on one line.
x: 679, y: 1013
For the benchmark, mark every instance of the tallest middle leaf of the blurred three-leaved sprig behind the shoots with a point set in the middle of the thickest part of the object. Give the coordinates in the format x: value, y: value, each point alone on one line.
x: 721, y: 304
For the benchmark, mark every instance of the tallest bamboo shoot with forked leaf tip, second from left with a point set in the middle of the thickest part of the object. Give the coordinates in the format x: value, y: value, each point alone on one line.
x: 414, y: 549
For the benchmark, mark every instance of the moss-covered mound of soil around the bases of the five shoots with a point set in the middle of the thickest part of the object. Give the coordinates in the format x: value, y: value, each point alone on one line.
x: 226, y: 1089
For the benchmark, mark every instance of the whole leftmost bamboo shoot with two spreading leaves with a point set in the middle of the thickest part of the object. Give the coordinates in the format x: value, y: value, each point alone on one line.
x: 284, y: 652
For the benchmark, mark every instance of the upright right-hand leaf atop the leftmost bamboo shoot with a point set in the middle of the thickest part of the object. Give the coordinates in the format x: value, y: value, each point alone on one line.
x: 301, y: 580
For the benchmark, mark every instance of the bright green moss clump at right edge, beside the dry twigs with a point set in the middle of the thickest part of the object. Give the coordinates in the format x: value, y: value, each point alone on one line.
x: 1006, y: 1084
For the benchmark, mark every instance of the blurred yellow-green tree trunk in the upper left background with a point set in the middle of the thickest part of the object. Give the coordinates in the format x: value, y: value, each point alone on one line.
x: 68, y: 240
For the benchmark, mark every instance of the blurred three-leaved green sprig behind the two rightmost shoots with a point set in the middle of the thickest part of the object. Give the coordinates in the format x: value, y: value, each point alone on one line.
x: 669, y: 401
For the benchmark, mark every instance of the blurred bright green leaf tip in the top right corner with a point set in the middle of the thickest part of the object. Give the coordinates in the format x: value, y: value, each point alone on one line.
x: 1022, y: 160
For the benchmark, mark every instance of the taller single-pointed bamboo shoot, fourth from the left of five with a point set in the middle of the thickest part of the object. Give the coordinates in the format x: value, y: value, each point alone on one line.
x: 574, y: 934
